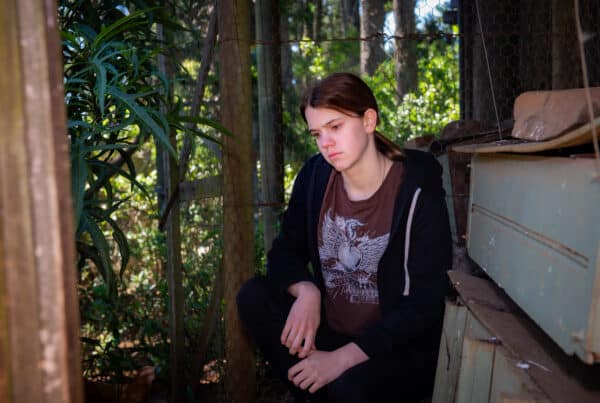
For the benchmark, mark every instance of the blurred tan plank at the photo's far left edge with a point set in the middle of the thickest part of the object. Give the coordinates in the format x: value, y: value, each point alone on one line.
x: 18, y: 267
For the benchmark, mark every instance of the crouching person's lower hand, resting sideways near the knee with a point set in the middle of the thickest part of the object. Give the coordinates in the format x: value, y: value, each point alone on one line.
x: 323, y: 367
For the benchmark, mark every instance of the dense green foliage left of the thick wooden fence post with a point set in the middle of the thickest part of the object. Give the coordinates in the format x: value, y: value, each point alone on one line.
x: 116, y: 101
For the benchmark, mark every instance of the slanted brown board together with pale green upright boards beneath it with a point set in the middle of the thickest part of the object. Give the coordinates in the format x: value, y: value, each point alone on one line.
x: 490, y: 351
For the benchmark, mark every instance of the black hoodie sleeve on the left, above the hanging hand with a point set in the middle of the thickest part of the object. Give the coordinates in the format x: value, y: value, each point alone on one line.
x: 288, y: 258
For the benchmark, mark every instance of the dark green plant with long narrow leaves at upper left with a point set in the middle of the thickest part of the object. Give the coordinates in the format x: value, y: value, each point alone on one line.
x: 113, y: 98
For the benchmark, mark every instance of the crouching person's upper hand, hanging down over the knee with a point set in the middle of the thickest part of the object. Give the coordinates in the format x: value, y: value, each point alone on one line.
x: 300, y: 328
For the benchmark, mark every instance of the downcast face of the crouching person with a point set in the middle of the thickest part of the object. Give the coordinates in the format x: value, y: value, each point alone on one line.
x: 342, y: 139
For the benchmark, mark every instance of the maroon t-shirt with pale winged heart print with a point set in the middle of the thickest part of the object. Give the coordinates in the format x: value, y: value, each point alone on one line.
x: 352, y: 237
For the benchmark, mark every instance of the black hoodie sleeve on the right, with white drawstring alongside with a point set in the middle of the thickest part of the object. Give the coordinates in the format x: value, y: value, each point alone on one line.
x: 417, y: 303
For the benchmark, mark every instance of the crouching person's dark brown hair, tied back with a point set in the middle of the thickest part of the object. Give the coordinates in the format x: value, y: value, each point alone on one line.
x: 351, y: 96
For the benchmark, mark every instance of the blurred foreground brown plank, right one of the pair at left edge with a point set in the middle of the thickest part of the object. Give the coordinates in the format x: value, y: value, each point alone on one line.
x: 51, y: 206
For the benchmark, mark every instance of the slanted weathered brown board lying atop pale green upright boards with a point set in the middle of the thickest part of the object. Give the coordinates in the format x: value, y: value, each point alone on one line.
x: 562, y: 378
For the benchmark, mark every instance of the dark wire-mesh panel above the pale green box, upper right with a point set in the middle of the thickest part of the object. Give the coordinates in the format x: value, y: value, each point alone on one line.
x: 510, y: 47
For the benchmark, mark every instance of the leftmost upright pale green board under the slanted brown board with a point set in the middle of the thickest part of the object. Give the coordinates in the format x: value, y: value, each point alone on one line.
x: 446, y: 377
